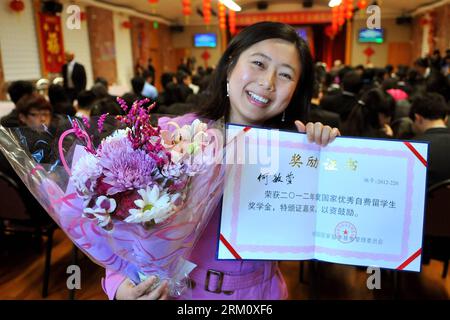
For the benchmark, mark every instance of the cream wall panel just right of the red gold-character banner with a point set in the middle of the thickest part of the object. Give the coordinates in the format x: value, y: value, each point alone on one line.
x: 77, y: 41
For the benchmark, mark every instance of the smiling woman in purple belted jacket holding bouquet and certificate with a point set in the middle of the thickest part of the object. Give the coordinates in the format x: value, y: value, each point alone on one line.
x: 265, y: 77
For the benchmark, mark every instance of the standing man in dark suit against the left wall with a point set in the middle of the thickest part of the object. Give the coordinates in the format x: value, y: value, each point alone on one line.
x: 74, y: 76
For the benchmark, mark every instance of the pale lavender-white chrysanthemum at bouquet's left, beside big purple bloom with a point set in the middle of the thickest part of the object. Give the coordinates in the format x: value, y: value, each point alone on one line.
x: 85, y: 173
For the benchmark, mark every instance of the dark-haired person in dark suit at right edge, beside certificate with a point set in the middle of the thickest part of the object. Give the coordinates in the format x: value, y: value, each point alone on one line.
x: 430, y: 113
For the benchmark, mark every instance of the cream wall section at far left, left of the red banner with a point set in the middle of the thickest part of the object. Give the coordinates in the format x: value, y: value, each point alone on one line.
x: 18, y: 43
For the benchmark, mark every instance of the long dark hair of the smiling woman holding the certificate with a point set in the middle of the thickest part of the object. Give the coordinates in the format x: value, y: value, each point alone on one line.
x: 218, y: 104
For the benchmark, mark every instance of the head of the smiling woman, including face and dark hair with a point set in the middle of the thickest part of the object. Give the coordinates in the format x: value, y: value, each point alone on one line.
x: 267, y: 72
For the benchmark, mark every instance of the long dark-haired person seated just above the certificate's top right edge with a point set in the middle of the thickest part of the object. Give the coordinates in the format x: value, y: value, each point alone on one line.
x: 370, y: 117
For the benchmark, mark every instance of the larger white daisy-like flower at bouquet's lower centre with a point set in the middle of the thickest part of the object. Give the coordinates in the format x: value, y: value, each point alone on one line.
x: 152, y: 206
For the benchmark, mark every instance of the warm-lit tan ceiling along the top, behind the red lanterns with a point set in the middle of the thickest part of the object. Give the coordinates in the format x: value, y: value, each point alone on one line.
x: 171, y: 9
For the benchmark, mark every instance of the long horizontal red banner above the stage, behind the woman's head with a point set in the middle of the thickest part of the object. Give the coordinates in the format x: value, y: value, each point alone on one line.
x: 311, y: 17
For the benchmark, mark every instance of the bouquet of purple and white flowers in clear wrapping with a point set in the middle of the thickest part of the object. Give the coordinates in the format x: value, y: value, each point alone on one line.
x: 135, y: 203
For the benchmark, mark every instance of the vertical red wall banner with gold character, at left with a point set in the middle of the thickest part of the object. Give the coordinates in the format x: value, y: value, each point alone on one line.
x: 52, y: 44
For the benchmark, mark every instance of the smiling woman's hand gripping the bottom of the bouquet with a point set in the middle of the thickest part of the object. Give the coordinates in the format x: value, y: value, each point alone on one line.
x: 146, y: 290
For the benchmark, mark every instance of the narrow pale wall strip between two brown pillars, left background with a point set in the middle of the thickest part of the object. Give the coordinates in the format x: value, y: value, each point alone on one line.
x: 124, y: 57
